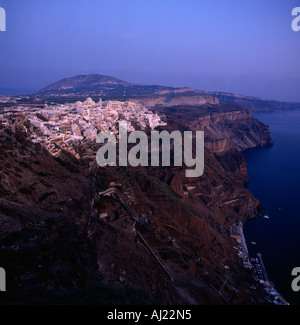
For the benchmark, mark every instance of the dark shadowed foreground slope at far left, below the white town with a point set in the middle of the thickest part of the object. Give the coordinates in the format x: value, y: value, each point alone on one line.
x: 44, y: 207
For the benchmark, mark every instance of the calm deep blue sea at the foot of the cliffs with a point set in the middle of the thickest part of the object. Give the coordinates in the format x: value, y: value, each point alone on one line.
x: 274, y: 175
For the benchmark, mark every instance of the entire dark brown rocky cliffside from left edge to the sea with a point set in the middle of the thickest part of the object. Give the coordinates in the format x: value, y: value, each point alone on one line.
x: 156, y: 238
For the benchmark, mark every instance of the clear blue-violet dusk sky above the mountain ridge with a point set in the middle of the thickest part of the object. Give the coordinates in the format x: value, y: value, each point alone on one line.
x: 246, y: 47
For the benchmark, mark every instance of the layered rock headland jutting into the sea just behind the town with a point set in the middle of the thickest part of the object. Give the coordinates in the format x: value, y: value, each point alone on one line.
x: 225, y: 128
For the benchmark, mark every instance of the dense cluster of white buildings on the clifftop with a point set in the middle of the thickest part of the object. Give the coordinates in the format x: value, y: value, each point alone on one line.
x: 64, y: 126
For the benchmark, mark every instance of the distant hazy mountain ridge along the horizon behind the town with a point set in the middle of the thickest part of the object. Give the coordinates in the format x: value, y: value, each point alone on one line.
x: 95, y: 85
